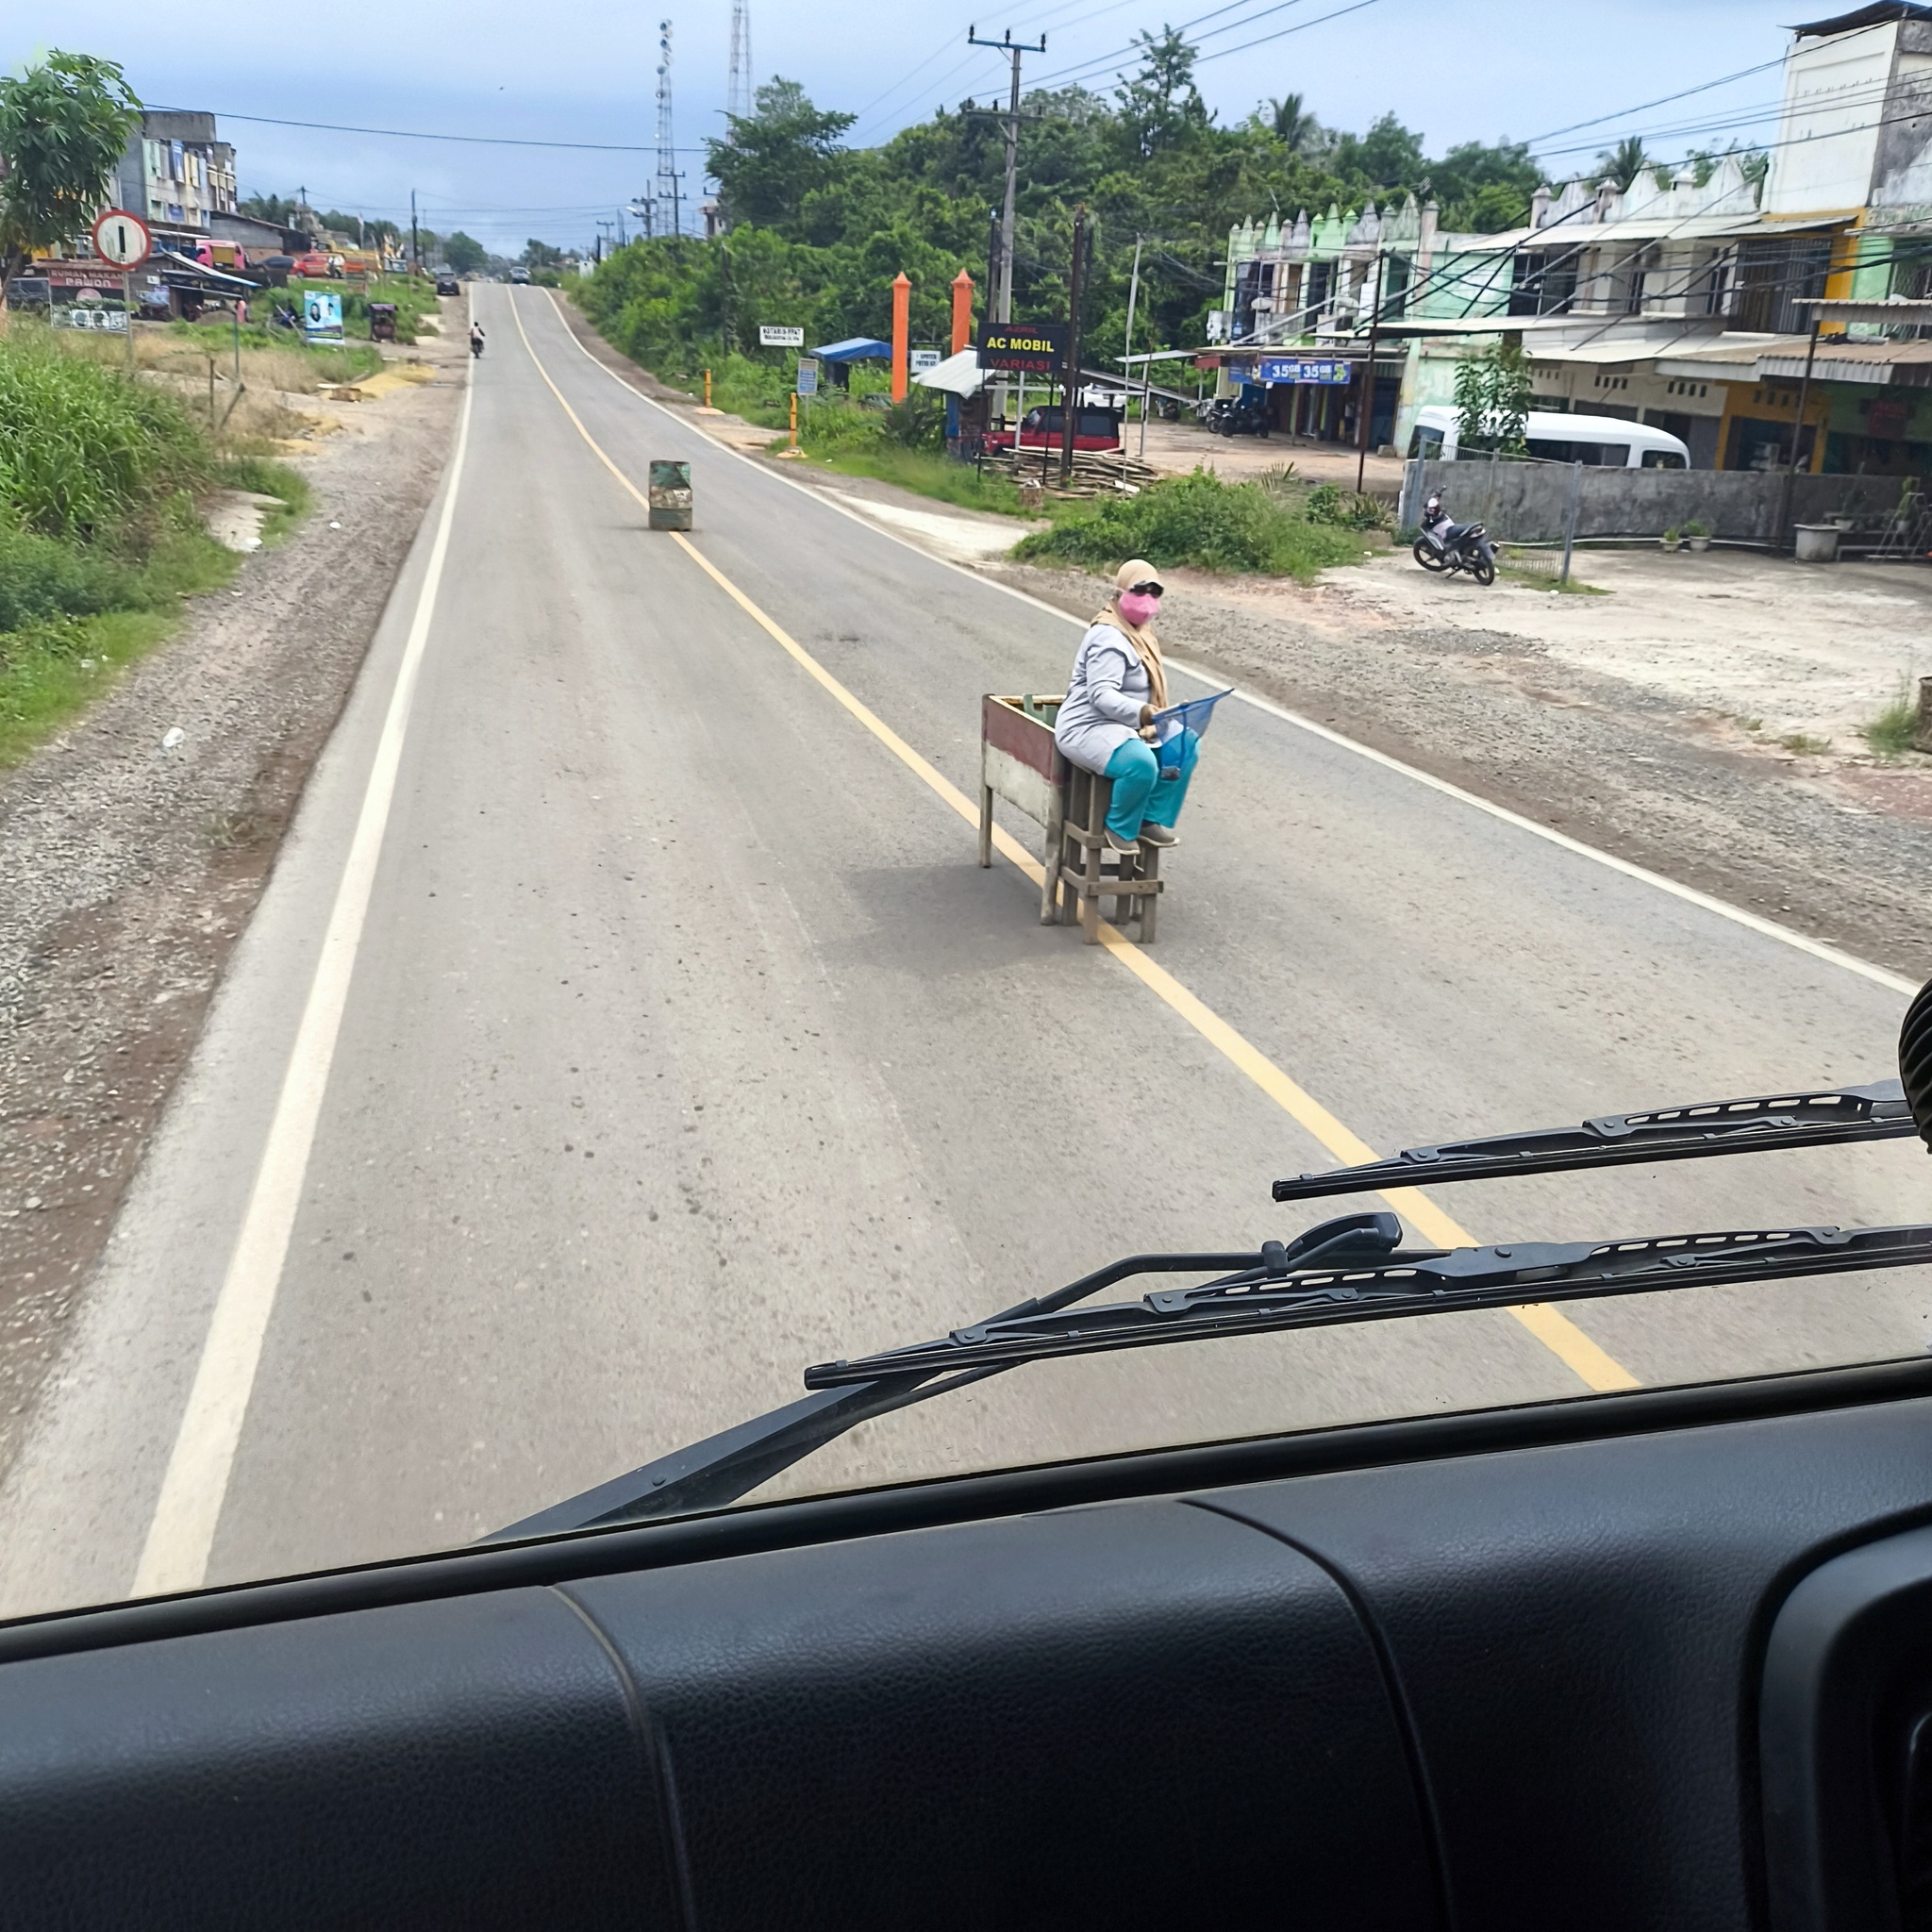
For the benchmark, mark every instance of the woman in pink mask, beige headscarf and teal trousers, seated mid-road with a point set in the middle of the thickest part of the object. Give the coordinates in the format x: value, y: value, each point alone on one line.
x: 1108, y: 722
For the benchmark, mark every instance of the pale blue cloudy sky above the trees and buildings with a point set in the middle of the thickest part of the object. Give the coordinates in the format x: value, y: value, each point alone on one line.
x: 586, y: 71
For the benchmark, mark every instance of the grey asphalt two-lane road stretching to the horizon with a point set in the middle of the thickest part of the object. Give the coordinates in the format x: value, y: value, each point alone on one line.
x: 629, y: 1025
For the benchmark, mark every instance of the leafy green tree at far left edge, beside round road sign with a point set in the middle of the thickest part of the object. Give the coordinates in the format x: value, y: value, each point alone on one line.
x: 63, y: 127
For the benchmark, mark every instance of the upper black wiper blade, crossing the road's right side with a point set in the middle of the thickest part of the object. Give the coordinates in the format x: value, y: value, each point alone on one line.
x: 1877, y: 1112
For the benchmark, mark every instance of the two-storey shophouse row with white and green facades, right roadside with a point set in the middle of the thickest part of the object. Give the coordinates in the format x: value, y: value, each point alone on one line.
x: 1678, y: 302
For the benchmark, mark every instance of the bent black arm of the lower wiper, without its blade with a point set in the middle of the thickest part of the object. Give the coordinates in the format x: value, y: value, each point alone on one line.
x: 733, y: 1463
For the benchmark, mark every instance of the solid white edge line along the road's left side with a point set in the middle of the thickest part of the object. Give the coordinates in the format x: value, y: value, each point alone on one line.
x: 196, y: 1485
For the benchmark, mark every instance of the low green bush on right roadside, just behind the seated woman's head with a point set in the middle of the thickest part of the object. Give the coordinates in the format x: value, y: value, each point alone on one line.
x: 1197, y: 521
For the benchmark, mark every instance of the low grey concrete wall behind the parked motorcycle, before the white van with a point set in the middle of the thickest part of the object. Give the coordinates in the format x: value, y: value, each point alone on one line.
x: 1527, y: 503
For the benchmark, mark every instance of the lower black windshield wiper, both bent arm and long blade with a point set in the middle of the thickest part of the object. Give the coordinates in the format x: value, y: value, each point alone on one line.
x: 1346, y: 1270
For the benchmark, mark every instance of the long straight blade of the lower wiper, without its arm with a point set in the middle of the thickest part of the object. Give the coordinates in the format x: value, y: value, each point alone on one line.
x: 1270, y: 1297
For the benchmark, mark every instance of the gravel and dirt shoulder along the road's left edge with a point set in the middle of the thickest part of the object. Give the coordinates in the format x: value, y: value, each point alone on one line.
x: 132, y: 863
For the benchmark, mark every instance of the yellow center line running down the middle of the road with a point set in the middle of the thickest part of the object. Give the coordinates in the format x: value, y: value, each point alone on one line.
x: 1550, y: 1326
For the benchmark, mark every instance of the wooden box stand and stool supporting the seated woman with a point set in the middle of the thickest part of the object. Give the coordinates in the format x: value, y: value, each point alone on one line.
x: 1021, y: 764
